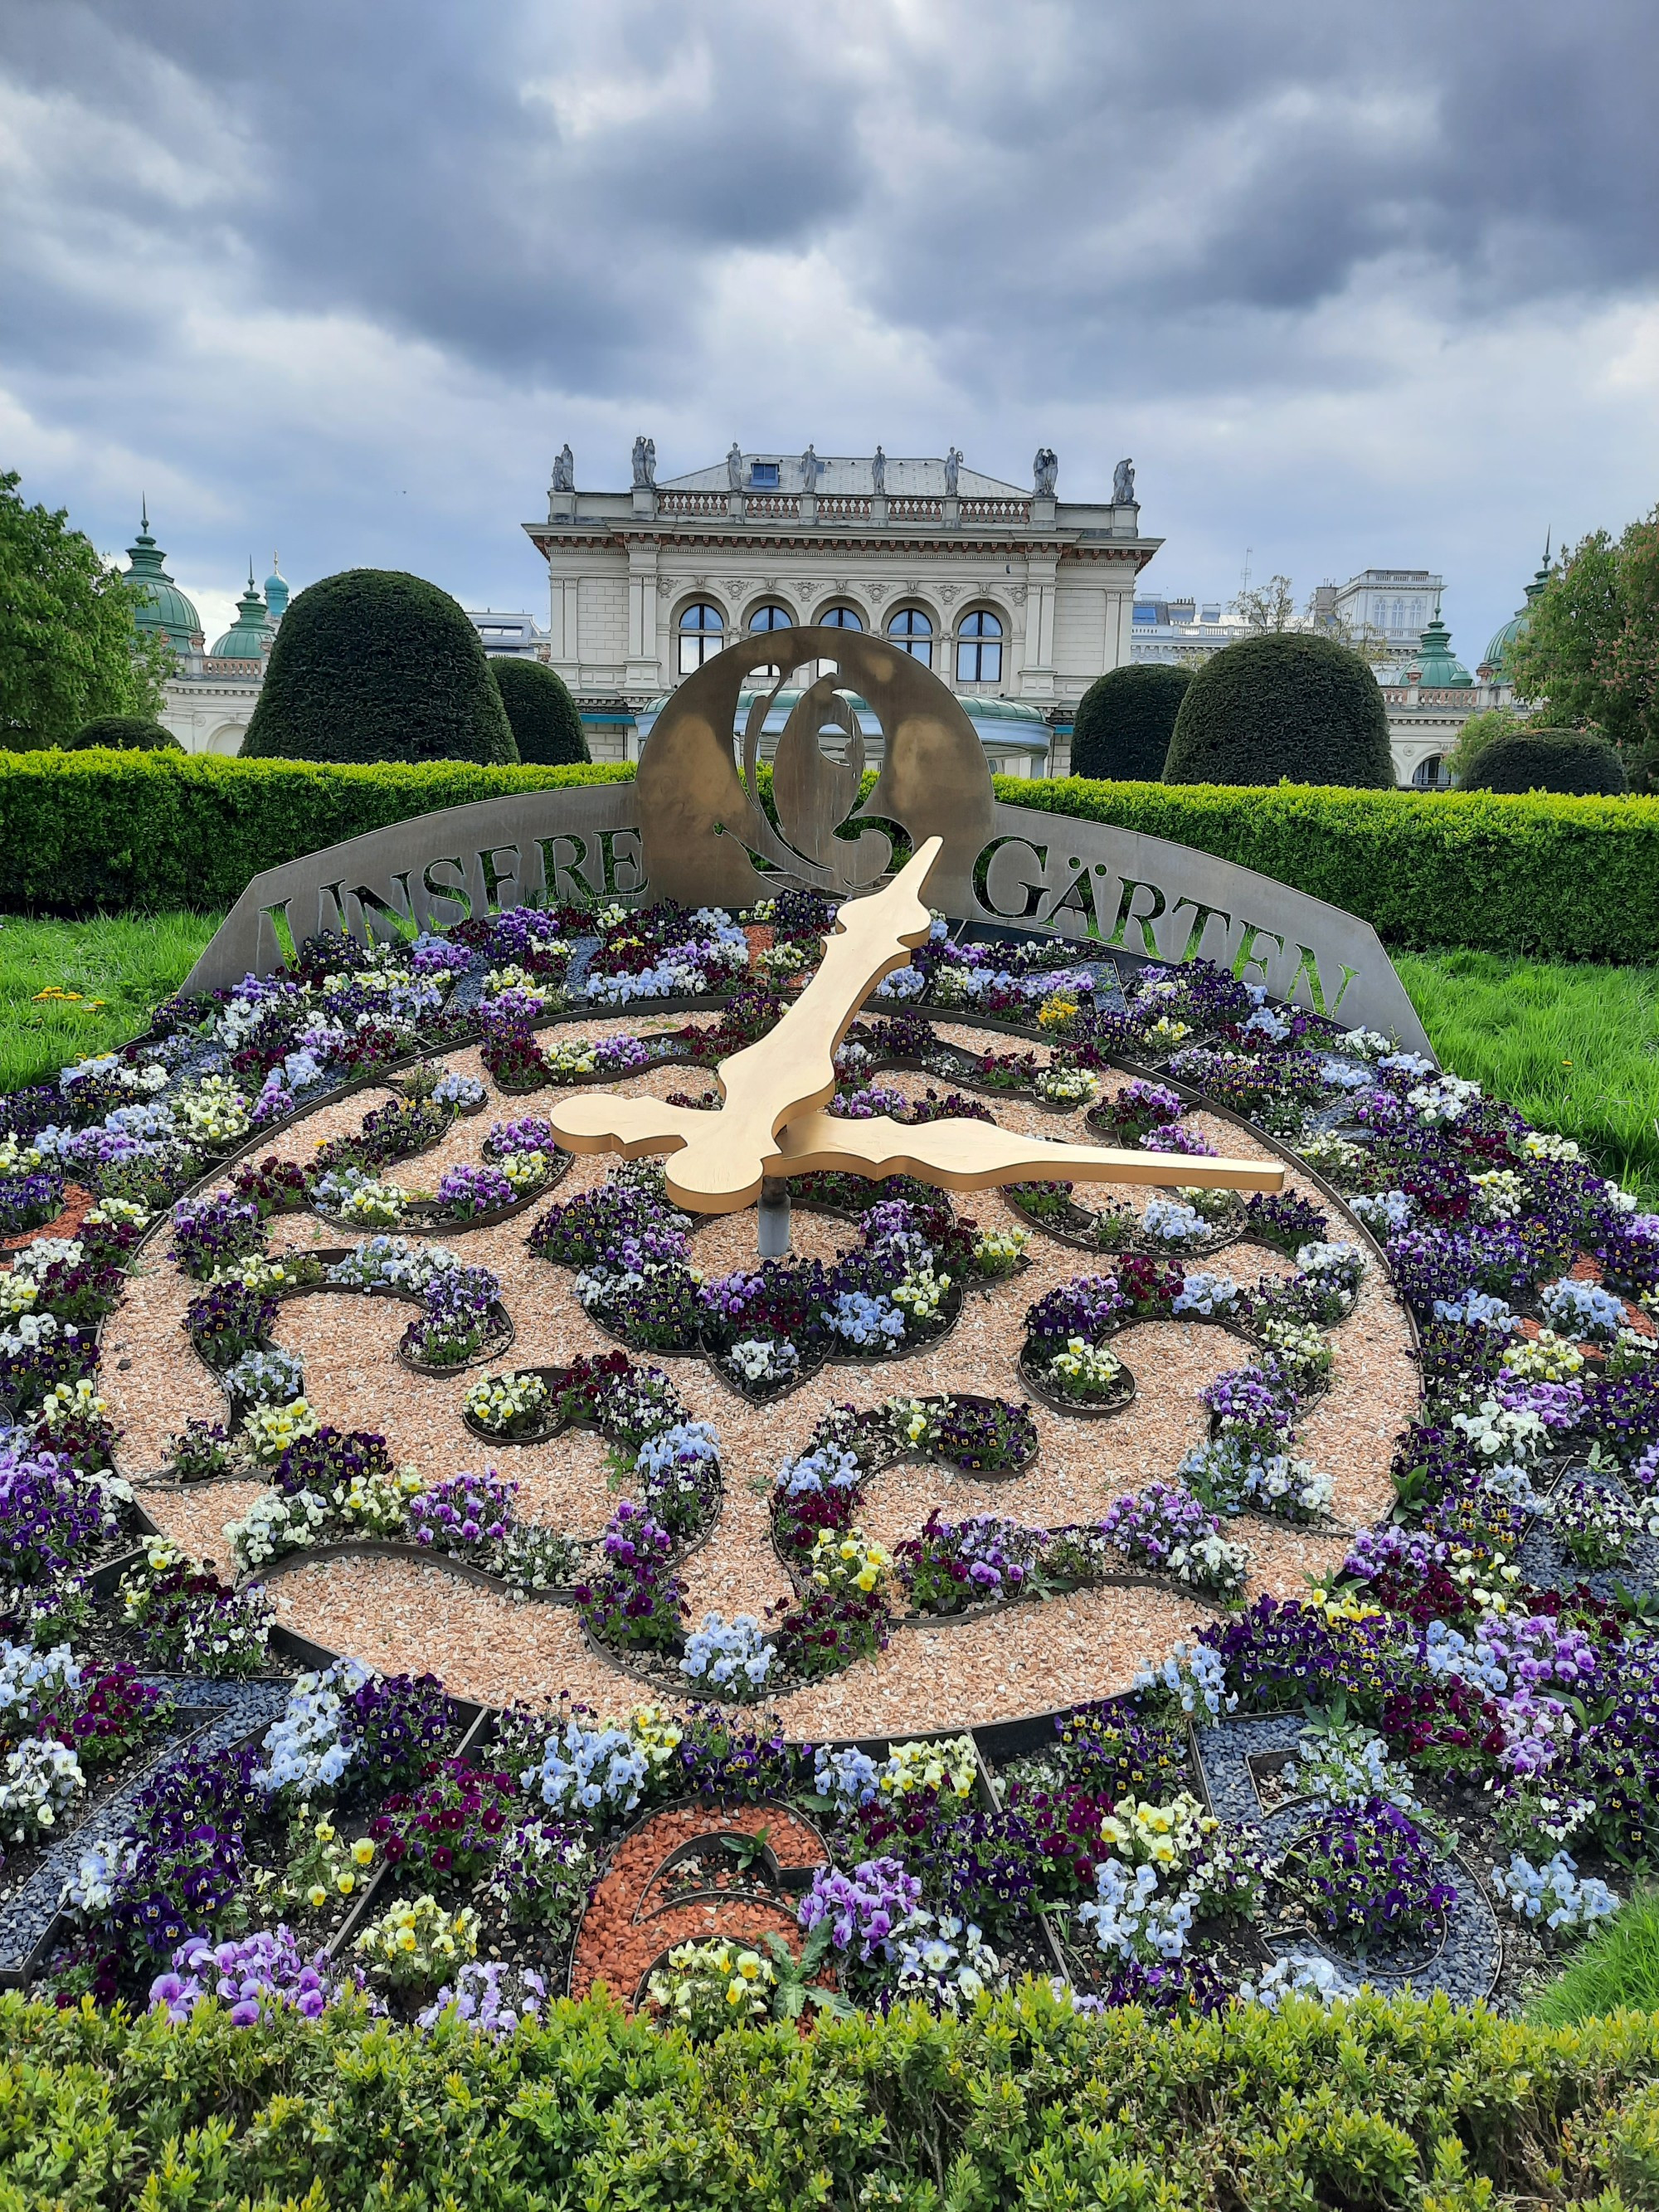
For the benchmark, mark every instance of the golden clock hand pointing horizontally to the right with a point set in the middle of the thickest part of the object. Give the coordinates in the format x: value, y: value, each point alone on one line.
x: 974, y: 1156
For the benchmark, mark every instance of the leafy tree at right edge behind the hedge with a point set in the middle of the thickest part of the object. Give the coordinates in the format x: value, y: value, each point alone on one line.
x: 1589, y: 649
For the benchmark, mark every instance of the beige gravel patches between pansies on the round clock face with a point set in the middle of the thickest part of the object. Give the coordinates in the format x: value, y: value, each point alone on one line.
x: 1027, y: 1660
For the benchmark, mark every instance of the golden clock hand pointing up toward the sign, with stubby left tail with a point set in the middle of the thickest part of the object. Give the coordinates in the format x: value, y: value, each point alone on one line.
x: 718, y: 1160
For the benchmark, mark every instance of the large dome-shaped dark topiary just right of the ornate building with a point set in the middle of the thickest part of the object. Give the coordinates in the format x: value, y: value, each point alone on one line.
x: 1284, y: 707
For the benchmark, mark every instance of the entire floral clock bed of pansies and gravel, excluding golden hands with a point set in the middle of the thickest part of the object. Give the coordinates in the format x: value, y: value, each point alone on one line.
x: 762, y: 1523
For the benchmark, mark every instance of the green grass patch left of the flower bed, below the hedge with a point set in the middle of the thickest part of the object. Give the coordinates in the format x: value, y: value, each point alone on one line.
x: 109, y: 970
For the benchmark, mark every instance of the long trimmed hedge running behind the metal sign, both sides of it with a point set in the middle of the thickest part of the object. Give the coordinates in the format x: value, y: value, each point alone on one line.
x: 1572, y: 879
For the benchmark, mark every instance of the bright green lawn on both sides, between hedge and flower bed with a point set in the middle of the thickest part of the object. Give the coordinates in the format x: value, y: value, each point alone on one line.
x: 1574, y: 1047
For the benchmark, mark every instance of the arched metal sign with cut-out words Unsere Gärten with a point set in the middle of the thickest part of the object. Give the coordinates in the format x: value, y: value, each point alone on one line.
x: 693, y: 828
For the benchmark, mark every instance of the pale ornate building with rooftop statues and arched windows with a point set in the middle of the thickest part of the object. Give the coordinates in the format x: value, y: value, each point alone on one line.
x: 1016, y: 598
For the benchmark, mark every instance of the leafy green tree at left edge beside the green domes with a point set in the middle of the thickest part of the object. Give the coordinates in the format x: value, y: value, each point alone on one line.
x: 70, y: 647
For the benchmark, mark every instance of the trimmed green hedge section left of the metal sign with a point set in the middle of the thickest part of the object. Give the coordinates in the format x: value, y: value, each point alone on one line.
x: 147, y: 831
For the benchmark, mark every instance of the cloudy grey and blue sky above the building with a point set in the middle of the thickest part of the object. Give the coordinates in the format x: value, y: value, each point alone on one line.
x: 1353, y: 284
